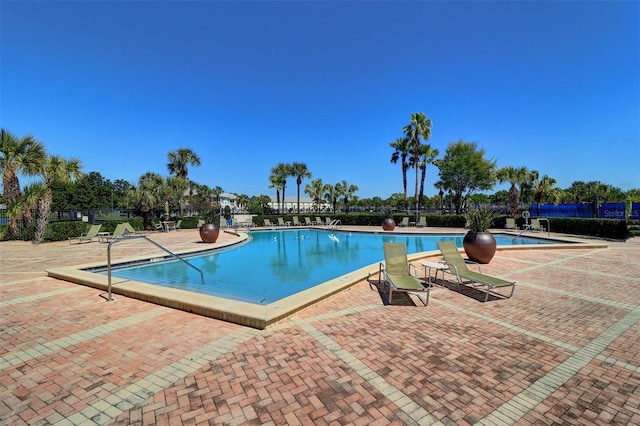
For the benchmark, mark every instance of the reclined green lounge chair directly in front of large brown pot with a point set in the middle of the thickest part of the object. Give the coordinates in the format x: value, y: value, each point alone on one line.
x: 458, y: 266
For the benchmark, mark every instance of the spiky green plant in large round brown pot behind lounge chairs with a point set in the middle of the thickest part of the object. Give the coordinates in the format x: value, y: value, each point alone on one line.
x: 479, y: 243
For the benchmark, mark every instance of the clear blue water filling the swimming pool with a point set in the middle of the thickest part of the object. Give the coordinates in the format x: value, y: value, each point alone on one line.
x: 277, y: 264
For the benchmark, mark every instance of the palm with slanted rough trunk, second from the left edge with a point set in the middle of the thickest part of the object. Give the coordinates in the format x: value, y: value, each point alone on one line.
x: 54, y: 169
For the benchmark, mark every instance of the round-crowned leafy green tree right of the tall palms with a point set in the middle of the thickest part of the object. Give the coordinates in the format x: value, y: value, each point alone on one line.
x: 464, y: 170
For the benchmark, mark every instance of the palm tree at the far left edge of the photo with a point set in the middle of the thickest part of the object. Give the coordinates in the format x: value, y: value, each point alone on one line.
x: 18, y: 155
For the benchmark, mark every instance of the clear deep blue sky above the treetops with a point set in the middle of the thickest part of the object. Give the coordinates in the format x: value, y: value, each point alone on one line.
x: 553, y: 86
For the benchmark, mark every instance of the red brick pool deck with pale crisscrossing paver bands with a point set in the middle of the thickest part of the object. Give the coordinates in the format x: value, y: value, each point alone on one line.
x: 564, y: 350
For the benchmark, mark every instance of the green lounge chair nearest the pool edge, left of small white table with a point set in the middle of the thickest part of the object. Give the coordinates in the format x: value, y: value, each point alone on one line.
x: 397, y: 273
